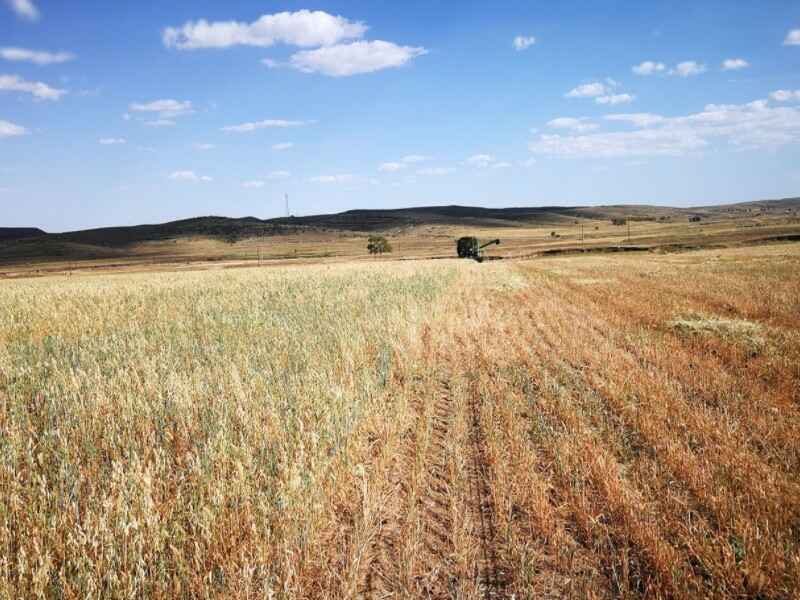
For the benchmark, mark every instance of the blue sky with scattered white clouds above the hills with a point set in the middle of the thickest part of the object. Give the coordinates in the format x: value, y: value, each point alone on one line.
x: 120, y: 113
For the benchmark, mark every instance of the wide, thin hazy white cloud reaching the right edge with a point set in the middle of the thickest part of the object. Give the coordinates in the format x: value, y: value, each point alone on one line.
x: 746, y: 126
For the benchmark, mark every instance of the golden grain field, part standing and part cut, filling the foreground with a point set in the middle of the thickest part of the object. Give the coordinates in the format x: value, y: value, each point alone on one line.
x: 604, y: 426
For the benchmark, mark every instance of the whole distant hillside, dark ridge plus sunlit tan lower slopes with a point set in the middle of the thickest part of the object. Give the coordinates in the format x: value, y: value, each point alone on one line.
x: 219, y: 238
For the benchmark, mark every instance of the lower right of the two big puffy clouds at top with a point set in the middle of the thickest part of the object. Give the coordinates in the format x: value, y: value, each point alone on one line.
x: 344, y: 60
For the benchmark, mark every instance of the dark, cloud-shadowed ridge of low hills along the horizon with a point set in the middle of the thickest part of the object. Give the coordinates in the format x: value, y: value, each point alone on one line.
x: 20, y: 244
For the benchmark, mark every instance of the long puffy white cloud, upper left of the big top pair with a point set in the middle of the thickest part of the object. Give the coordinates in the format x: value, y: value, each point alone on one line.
x: 302, y: 28
